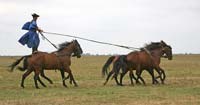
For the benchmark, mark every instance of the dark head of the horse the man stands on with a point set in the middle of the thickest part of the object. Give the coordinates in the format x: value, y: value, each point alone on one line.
x: 77, y: 49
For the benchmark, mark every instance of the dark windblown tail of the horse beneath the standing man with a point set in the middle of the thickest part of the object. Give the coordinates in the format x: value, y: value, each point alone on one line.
x: 25, y: 63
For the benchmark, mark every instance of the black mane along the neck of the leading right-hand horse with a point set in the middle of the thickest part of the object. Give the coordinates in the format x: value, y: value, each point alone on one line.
x: 152, y: 46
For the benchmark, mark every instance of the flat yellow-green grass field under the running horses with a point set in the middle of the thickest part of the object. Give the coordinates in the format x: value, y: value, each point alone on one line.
x: 182, y: 85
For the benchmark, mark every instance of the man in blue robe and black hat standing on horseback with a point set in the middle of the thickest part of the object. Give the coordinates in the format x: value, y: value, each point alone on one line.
x: 31, y: 38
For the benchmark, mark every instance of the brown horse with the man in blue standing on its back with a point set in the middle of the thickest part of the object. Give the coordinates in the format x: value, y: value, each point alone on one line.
x: 60, y: 59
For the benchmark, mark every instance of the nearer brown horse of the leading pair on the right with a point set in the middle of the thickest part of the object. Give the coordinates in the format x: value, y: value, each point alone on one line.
x: 148, y: 58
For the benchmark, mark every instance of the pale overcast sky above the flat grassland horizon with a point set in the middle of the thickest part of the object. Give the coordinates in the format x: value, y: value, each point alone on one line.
x: 125, y: 22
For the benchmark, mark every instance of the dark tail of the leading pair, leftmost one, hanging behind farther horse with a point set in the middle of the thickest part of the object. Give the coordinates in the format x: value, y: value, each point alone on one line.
x: 106, y: 65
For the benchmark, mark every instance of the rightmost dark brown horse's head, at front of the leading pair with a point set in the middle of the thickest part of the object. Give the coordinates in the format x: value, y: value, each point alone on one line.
x: 167, y: 50
